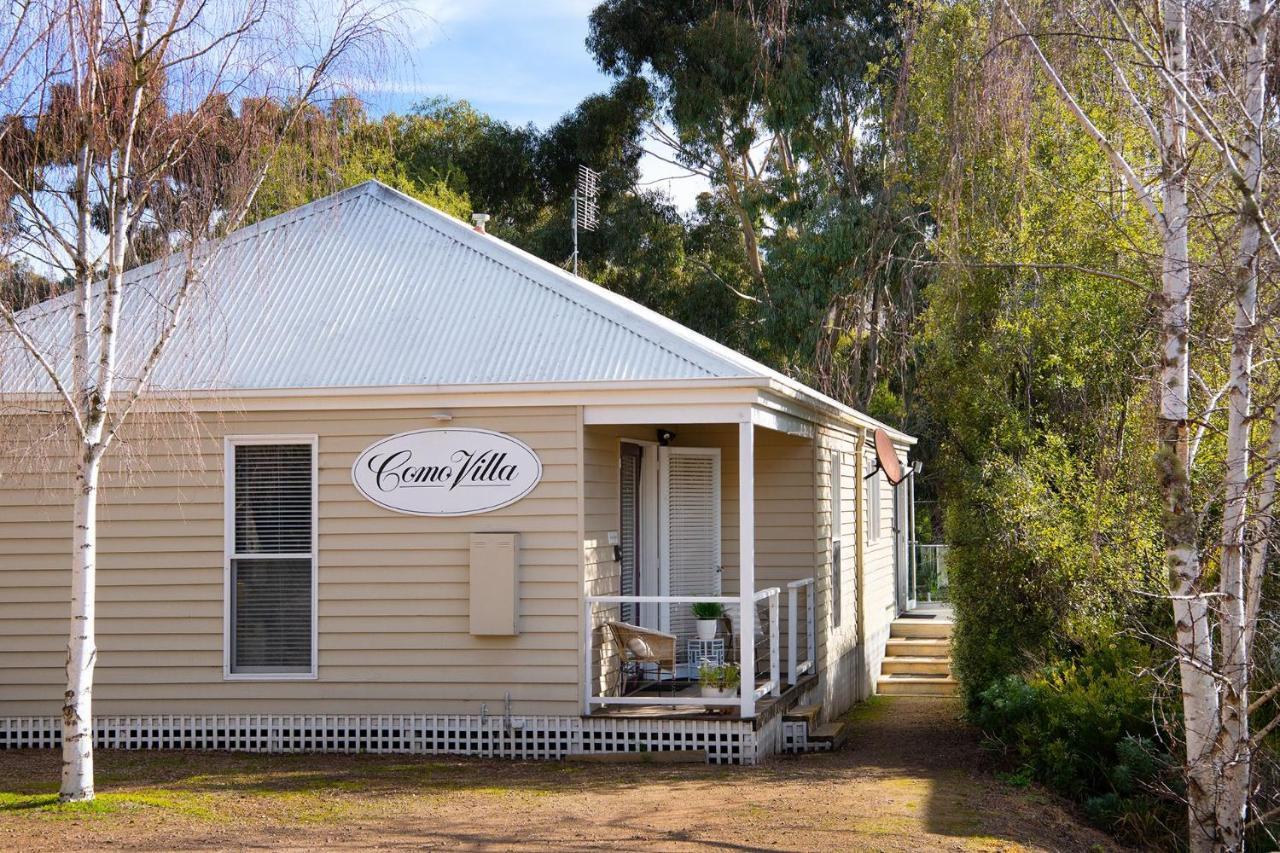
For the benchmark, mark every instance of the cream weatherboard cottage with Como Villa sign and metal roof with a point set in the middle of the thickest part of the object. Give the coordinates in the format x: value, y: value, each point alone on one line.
x: 400, y: 483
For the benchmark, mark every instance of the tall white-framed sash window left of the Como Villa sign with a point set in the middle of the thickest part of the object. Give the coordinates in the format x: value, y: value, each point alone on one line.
x: 271, y: 558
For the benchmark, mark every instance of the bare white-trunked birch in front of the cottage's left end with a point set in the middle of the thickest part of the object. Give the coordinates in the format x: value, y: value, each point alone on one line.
x: 139, y: 130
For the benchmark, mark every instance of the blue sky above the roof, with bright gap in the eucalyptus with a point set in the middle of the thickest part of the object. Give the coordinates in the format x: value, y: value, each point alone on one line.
x: 518, y: 61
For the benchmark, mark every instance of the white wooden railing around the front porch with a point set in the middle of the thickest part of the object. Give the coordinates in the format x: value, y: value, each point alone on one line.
x: 602, y: 665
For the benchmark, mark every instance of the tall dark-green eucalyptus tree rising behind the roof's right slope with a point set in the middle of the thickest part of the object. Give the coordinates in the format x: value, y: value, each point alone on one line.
x: 787, y: 108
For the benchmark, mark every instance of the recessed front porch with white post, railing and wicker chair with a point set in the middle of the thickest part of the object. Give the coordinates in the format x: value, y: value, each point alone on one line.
x: 720, y: 516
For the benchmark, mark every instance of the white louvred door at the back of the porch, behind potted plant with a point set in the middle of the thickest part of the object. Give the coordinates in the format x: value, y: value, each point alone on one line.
x: 691, y: 532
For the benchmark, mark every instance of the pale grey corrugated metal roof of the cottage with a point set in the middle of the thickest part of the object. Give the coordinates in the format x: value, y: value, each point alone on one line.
x: 372, y: 289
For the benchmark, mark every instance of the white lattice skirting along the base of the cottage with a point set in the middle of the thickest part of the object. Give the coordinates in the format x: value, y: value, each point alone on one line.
x: 726, y: 742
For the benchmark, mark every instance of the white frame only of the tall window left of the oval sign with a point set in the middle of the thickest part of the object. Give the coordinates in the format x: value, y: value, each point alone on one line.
x: 230, y: 445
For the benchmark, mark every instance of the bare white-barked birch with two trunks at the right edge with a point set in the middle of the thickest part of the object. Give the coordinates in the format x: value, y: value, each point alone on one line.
x: 1204, y: 115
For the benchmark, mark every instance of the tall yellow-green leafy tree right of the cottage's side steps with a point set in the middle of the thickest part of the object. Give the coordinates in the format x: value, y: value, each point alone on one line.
x: 1027, y: 376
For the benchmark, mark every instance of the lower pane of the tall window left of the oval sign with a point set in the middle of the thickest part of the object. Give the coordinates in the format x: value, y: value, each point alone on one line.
x: 272, y: 615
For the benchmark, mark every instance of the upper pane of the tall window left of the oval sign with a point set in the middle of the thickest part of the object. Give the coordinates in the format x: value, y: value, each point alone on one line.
x: 273, y: 499
